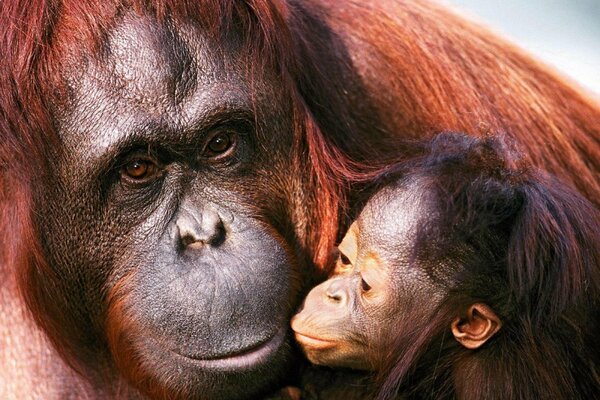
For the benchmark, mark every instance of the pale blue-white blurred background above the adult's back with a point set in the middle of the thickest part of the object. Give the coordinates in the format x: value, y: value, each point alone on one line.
x: 563, y: 33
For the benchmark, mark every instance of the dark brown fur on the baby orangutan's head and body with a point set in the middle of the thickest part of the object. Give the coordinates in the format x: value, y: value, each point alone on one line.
x: 523, y: 243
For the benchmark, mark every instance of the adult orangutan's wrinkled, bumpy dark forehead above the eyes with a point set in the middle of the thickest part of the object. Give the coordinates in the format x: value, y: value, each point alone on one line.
x: 152, y: 76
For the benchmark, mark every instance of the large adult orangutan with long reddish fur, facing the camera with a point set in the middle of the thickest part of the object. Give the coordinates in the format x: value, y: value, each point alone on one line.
x: 173, y: 173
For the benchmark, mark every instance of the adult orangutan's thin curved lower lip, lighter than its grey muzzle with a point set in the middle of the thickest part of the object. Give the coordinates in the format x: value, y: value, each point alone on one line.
x: 245, y: 358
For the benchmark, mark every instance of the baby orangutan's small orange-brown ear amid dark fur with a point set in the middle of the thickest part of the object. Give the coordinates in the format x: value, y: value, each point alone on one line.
x: 479, y: 325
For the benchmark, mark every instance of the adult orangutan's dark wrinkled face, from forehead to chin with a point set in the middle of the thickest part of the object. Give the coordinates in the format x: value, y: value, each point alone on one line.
x: 151, y: 217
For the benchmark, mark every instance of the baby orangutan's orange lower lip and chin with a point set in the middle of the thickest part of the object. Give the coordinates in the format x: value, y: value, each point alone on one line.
x: 334, y: 353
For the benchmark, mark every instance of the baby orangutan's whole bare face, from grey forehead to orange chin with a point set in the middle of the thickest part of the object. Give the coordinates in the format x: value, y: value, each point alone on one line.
x: 345, y: 320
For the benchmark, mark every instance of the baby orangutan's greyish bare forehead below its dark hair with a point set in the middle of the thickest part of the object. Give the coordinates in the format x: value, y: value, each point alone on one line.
x: 392, y: 215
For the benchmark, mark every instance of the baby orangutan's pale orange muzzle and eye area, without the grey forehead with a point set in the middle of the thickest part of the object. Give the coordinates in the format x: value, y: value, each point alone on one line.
x: 334, y: 326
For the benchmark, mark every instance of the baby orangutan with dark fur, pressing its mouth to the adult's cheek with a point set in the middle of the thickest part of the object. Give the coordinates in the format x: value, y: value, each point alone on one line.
x: 467, y: 275
